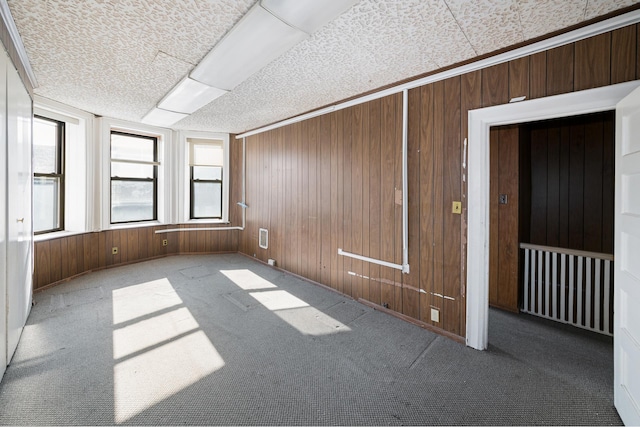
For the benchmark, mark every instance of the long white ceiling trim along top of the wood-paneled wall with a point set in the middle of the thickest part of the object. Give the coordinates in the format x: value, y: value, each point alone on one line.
x: 601, y: 27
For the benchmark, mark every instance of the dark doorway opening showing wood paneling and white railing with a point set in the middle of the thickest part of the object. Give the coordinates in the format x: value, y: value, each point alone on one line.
x: 551, y: 213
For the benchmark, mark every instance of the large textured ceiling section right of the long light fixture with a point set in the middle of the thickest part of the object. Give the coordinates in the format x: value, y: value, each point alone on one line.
x: 372, y: 45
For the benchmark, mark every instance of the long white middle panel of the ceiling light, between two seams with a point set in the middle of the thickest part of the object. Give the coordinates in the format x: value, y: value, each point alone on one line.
x: 254, y: 42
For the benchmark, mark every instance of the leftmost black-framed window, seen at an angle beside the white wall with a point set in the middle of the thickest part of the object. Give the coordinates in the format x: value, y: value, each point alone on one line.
x: 48, y: 175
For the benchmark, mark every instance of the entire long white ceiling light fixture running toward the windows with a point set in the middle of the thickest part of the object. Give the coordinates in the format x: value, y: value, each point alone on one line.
x: 269, y: 29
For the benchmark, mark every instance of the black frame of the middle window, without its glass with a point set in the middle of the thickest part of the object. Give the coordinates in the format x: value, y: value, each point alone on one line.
x: 155, y: 163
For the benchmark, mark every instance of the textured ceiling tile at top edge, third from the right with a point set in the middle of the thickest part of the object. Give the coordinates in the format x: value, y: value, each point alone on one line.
x: 489, y: 25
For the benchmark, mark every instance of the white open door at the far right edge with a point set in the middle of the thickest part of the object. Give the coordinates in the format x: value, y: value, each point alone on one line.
x: 626, y: 330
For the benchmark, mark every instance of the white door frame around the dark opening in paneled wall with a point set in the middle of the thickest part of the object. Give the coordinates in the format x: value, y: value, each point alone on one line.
x: 480, y: 121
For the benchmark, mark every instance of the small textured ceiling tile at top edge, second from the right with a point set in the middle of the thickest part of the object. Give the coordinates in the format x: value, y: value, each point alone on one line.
x: 541, y: 17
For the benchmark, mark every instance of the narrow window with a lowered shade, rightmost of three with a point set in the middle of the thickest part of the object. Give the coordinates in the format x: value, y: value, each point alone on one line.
x: 206, y: 160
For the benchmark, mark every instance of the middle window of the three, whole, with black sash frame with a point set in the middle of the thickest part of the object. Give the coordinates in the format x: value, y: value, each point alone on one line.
x: 134, y: 177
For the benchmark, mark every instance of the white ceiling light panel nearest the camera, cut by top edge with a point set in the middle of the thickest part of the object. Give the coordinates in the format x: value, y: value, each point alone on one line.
x: 307, y: 15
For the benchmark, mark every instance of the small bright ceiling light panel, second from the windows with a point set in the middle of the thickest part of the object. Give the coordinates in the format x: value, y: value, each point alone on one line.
x: 189, y: 95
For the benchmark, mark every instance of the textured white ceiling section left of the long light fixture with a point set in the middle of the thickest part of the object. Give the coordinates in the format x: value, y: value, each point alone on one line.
x: 117, y: 58
